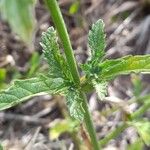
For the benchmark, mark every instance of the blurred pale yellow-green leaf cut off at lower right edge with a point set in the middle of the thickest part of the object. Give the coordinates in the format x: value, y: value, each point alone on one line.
x: 143, y: 128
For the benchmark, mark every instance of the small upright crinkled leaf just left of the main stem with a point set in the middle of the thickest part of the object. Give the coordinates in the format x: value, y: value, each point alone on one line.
x: 57, y: 64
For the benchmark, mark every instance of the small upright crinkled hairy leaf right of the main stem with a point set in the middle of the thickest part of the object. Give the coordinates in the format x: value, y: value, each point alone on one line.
x: 96, y: 40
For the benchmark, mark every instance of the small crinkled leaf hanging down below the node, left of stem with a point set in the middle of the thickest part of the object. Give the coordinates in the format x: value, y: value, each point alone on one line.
x: 74, y: 104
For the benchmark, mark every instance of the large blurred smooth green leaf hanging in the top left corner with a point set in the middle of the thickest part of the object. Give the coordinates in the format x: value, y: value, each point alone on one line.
x: 20, y: 16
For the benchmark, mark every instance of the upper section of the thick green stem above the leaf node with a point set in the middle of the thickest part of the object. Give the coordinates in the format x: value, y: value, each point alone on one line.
x: 63, y: 34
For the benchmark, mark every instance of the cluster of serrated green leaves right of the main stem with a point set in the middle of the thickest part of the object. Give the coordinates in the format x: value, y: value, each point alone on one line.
x: 99, y: 70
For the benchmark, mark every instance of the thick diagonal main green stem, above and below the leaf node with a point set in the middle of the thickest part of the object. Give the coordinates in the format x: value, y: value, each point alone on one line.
x: 63, y: 34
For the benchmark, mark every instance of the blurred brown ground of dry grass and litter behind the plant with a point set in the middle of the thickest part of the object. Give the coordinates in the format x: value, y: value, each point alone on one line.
x: 127, y: 25
